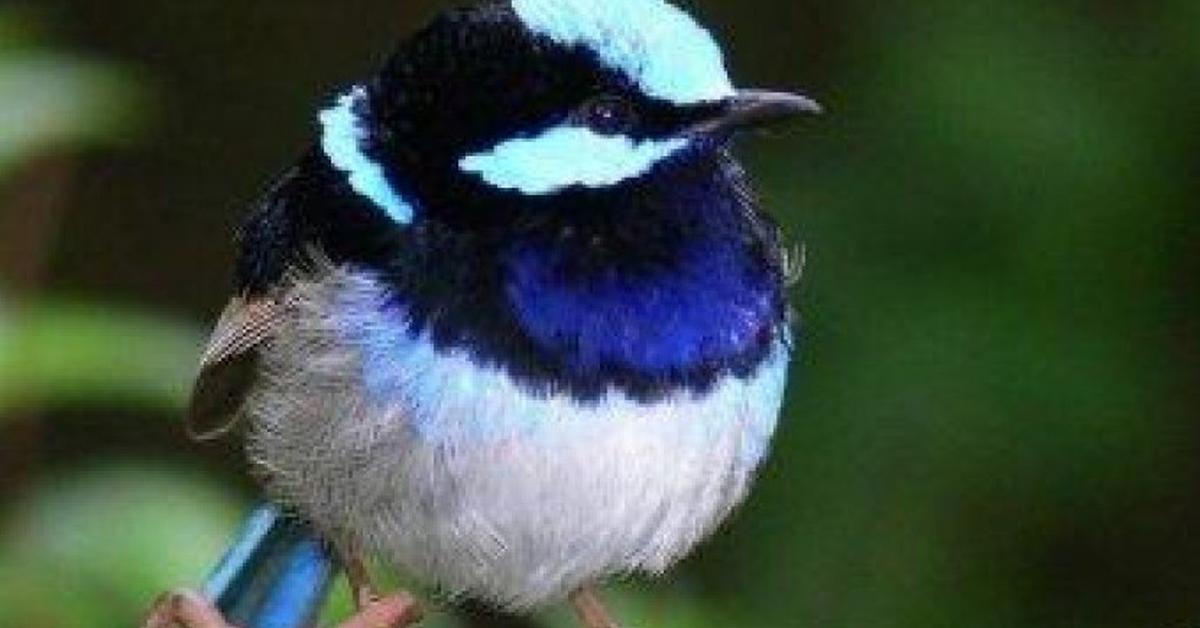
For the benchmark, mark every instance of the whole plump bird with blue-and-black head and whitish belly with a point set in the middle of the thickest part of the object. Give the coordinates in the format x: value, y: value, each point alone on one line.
x: 515, y: 324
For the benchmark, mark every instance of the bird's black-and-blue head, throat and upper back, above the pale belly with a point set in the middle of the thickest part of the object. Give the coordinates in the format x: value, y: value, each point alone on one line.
x: 547, y: 186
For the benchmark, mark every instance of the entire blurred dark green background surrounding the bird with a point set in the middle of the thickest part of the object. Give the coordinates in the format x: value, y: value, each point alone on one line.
x: 993, y: 422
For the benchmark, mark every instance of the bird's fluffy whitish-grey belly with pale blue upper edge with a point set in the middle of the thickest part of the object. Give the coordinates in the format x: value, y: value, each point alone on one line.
x: 463, y: 479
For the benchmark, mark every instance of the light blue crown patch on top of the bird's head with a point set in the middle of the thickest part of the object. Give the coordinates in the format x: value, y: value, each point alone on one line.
x: 655, y: 44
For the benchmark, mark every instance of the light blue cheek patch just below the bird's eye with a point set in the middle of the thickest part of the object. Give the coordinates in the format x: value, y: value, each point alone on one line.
x: 568, y: 157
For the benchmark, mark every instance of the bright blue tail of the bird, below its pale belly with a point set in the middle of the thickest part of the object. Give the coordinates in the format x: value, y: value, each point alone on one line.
x: 277, y: 575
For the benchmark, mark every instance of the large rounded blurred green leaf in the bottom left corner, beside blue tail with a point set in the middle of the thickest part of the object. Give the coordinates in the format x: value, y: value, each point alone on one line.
x: 98, y: 547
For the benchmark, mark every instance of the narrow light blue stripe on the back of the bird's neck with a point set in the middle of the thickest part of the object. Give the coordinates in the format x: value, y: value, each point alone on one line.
x: 343, y: 137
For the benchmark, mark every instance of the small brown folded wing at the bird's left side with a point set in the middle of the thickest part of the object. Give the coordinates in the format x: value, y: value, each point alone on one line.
x: 230, y: 366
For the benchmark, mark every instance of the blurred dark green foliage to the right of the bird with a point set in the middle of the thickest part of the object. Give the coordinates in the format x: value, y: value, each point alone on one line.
x: 994, y: 423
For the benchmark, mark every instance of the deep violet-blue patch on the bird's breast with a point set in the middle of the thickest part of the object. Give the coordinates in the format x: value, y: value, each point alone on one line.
x: 710, y: 306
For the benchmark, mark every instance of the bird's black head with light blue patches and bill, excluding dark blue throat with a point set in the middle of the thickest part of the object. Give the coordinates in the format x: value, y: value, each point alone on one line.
x: 508, y: 115
